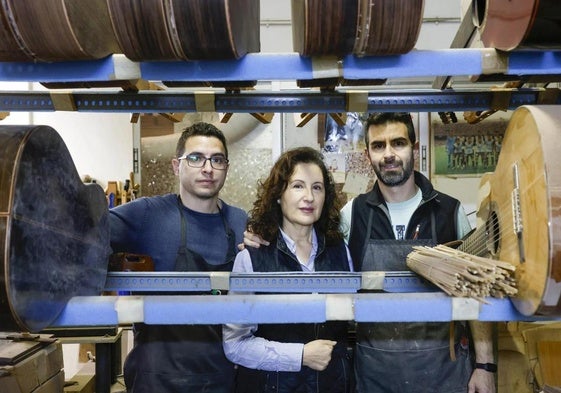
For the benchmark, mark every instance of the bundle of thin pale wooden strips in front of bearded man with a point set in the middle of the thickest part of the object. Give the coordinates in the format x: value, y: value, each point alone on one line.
x: 461, y: 274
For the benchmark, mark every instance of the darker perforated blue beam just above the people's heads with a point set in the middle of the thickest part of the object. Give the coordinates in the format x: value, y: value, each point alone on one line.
x: 270, y: 102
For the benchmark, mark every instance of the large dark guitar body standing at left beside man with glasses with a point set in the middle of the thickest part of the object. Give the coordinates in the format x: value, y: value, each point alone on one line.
x: 54, y: 230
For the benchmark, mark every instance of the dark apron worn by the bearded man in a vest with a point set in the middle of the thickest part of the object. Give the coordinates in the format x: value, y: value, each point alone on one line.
x: 408, y: 357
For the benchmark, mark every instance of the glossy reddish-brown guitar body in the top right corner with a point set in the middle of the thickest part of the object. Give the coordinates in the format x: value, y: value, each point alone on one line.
x: 507, y: 25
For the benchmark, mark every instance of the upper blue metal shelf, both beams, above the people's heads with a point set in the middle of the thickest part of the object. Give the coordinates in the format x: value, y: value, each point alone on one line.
x: 259, y: 67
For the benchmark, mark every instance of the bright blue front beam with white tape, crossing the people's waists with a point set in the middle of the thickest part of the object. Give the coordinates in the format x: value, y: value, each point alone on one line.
x: 282, y: 308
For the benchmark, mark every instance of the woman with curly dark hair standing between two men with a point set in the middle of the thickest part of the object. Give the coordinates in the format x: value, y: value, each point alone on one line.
x: 297, y: 212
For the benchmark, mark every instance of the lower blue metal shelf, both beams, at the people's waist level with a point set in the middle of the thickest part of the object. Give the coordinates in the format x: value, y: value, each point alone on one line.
x: 296, y: 297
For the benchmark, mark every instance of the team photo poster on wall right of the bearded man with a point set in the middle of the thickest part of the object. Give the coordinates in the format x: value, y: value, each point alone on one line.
x: 464, y: 149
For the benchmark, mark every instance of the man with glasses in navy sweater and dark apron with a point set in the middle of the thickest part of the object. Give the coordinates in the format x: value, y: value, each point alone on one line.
x: 192, y: 231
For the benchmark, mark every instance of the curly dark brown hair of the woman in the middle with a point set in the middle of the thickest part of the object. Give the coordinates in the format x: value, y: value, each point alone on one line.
x: 265, y: 218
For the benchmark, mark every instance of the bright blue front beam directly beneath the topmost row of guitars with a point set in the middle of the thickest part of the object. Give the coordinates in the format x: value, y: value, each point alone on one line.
x: 291, y: 66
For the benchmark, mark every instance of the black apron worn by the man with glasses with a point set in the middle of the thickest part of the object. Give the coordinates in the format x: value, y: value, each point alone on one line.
x: 182, y: 358
